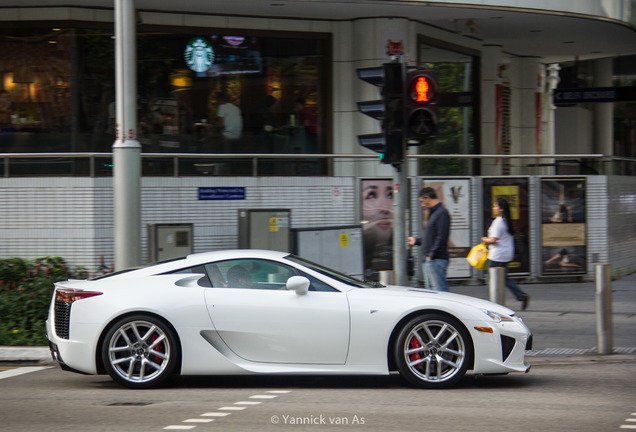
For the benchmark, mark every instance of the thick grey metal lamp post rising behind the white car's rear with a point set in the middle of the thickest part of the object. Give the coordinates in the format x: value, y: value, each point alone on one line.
x: 126, y: 149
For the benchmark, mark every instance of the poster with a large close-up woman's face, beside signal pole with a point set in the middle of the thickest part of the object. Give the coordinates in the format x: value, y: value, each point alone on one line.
x: 377, y: 224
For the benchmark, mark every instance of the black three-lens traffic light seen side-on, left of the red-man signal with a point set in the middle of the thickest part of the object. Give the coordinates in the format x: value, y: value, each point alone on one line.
x: 389, y: 143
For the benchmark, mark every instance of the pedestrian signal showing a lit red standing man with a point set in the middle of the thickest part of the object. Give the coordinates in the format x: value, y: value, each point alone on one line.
x: 422, y: 114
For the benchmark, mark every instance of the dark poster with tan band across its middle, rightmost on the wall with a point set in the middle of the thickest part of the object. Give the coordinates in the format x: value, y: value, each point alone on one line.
x: 563, y: 226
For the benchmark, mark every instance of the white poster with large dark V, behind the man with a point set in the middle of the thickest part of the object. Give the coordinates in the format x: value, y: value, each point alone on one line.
x: 455, y: 196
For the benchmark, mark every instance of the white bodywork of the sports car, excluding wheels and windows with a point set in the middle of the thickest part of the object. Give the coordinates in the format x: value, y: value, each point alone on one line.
x: 240, y: 331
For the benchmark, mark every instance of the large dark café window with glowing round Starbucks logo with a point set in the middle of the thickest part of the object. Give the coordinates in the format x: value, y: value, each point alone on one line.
x: 202, y: 92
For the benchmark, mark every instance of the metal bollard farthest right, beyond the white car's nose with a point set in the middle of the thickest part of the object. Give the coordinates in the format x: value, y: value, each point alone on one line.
x: 604, y: 331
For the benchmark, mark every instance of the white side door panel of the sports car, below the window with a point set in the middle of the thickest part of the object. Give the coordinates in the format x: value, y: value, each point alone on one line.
x: 311, y: 328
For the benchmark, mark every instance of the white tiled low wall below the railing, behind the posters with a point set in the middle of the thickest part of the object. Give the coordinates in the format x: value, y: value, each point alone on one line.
x: 73, y: 217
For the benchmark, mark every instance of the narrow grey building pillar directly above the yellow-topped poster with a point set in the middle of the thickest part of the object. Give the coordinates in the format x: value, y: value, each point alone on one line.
x: 491, y: 125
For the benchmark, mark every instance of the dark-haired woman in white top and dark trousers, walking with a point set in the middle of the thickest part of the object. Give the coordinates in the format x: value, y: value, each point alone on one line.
x: 501, y: 247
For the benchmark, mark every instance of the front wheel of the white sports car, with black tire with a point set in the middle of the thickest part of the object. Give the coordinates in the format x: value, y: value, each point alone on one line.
x: 433, y: 351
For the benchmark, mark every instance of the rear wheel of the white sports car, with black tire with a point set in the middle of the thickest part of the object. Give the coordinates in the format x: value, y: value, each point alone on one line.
x: 140, y: 352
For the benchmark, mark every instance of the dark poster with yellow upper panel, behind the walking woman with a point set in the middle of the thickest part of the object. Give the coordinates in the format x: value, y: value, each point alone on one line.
x: 515, y: 191
